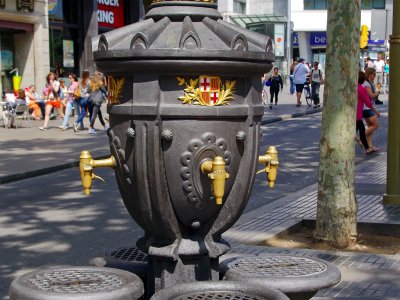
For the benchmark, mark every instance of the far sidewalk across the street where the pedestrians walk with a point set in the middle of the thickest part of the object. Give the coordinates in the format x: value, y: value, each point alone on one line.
x: 28, y: 152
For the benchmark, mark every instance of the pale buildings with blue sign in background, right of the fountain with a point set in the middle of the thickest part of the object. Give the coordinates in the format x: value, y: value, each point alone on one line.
x: 307, y: 23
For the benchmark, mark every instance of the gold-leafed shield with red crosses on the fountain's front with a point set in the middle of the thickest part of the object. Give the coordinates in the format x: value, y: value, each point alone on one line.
x: 207, y: 91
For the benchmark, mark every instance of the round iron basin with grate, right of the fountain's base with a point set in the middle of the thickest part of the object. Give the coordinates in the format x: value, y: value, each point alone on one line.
x: 284, y: 272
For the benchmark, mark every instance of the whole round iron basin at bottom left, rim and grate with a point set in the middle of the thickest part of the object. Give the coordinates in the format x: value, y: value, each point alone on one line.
x: 83, y: 283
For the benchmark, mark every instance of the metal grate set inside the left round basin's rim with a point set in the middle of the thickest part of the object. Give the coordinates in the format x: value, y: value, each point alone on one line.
x: 71, y: 281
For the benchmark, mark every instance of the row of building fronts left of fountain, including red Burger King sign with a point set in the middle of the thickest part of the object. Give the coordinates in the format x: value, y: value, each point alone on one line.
x: 39, y: 36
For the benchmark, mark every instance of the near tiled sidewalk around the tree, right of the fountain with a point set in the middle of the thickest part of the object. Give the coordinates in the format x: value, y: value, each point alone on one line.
x: 364, y: 276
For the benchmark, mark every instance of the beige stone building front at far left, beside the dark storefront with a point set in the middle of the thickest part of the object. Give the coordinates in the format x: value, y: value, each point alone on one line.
x: 24, y: 42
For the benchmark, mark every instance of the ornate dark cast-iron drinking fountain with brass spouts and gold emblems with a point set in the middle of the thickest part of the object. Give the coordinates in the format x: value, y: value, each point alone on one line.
x: 185, y: 112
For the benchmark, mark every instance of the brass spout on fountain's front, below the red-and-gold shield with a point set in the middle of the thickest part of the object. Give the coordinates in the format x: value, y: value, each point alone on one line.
x: 215, y: 169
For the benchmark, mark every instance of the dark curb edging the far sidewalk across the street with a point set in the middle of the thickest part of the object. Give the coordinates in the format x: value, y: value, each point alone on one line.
x: 48, y: 170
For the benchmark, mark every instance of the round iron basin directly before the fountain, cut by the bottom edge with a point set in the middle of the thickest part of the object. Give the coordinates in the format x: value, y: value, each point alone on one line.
x: 218, y: 290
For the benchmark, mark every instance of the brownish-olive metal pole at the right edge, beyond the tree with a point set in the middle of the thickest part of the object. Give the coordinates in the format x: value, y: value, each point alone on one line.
x: 392, y: 195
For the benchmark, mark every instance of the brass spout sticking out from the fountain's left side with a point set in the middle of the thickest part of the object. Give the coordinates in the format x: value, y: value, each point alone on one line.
x: 86, y: 166
